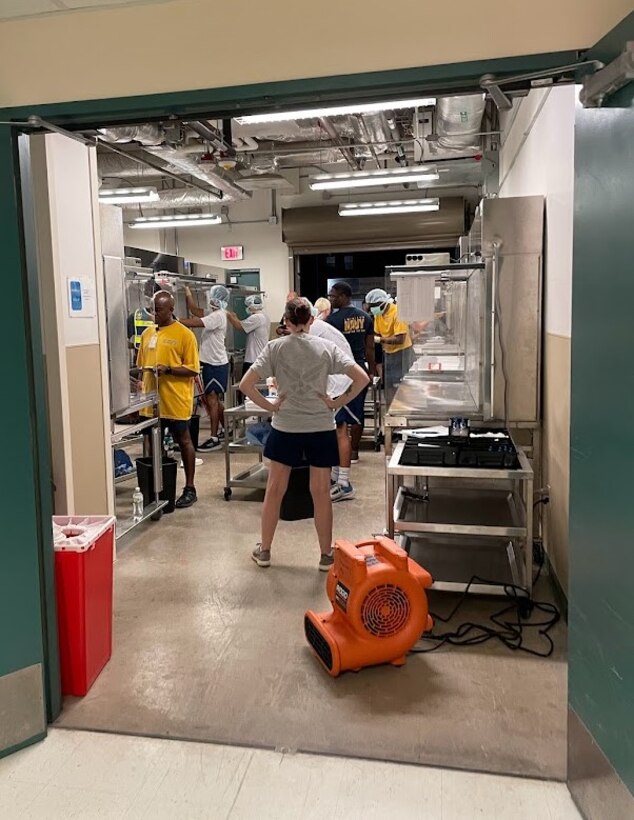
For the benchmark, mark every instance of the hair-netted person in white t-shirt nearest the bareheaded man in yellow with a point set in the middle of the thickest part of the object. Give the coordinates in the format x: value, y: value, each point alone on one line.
x: 213, y: 356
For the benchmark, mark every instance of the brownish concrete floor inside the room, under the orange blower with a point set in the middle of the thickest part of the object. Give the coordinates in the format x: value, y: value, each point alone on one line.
x: 210, y: 647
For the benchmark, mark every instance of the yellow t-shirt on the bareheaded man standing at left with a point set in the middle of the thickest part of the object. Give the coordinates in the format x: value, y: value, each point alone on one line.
x: 174, y: 346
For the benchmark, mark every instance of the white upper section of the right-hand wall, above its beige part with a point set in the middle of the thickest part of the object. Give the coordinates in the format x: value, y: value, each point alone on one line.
x: 537, y: 157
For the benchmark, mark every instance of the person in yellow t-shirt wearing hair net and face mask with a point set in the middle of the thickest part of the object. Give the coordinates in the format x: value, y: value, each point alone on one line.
x: 395, y: 340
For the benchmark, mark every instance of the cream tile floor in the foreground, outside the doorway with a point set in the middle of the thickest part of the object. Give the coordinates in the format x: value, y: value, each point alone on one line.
x: 75, y: 774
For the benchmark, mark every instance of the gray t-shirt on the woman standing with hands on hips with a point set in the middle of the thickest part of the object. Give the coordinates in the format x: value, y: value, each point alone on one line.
x: 301, y: 364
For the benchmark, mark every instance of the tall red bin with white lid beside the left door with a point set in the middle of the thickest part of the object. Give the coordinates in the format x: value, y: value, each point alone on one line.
x: 84, y: 553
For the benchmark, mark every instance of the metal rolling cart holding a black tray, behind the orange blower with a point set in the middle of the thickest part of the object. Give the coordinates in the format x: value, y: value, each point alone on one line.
x: 471, y: 509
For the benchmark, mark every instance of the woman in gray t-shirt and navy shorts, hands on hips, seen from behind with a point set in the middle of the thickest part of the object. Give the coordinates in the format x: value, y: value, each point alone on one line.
x: 303, y: 420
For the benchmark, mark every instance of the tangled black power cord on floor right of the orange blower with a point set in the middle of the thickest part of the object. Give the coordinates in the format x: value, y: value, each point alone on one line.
x: 509, y: 623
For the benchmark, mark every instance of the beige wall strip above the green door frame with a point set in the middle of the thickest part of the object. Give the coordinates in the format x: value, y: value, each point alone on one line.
x: 205, y: 44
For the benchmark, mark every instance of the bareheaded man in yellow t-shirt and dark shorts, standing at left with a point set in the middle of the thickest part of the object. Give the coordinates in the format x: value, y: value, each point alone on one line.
x: 170, y: 351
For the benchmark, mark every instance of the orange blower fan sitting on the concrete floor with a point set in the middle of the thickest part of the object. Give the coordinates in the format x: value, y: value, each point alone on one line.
x: 379, y: 606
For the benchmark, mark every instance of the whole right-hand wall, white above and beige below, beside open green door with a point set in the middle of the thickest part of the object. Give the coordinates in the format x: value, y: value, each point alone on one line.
x: 537, y: 157
